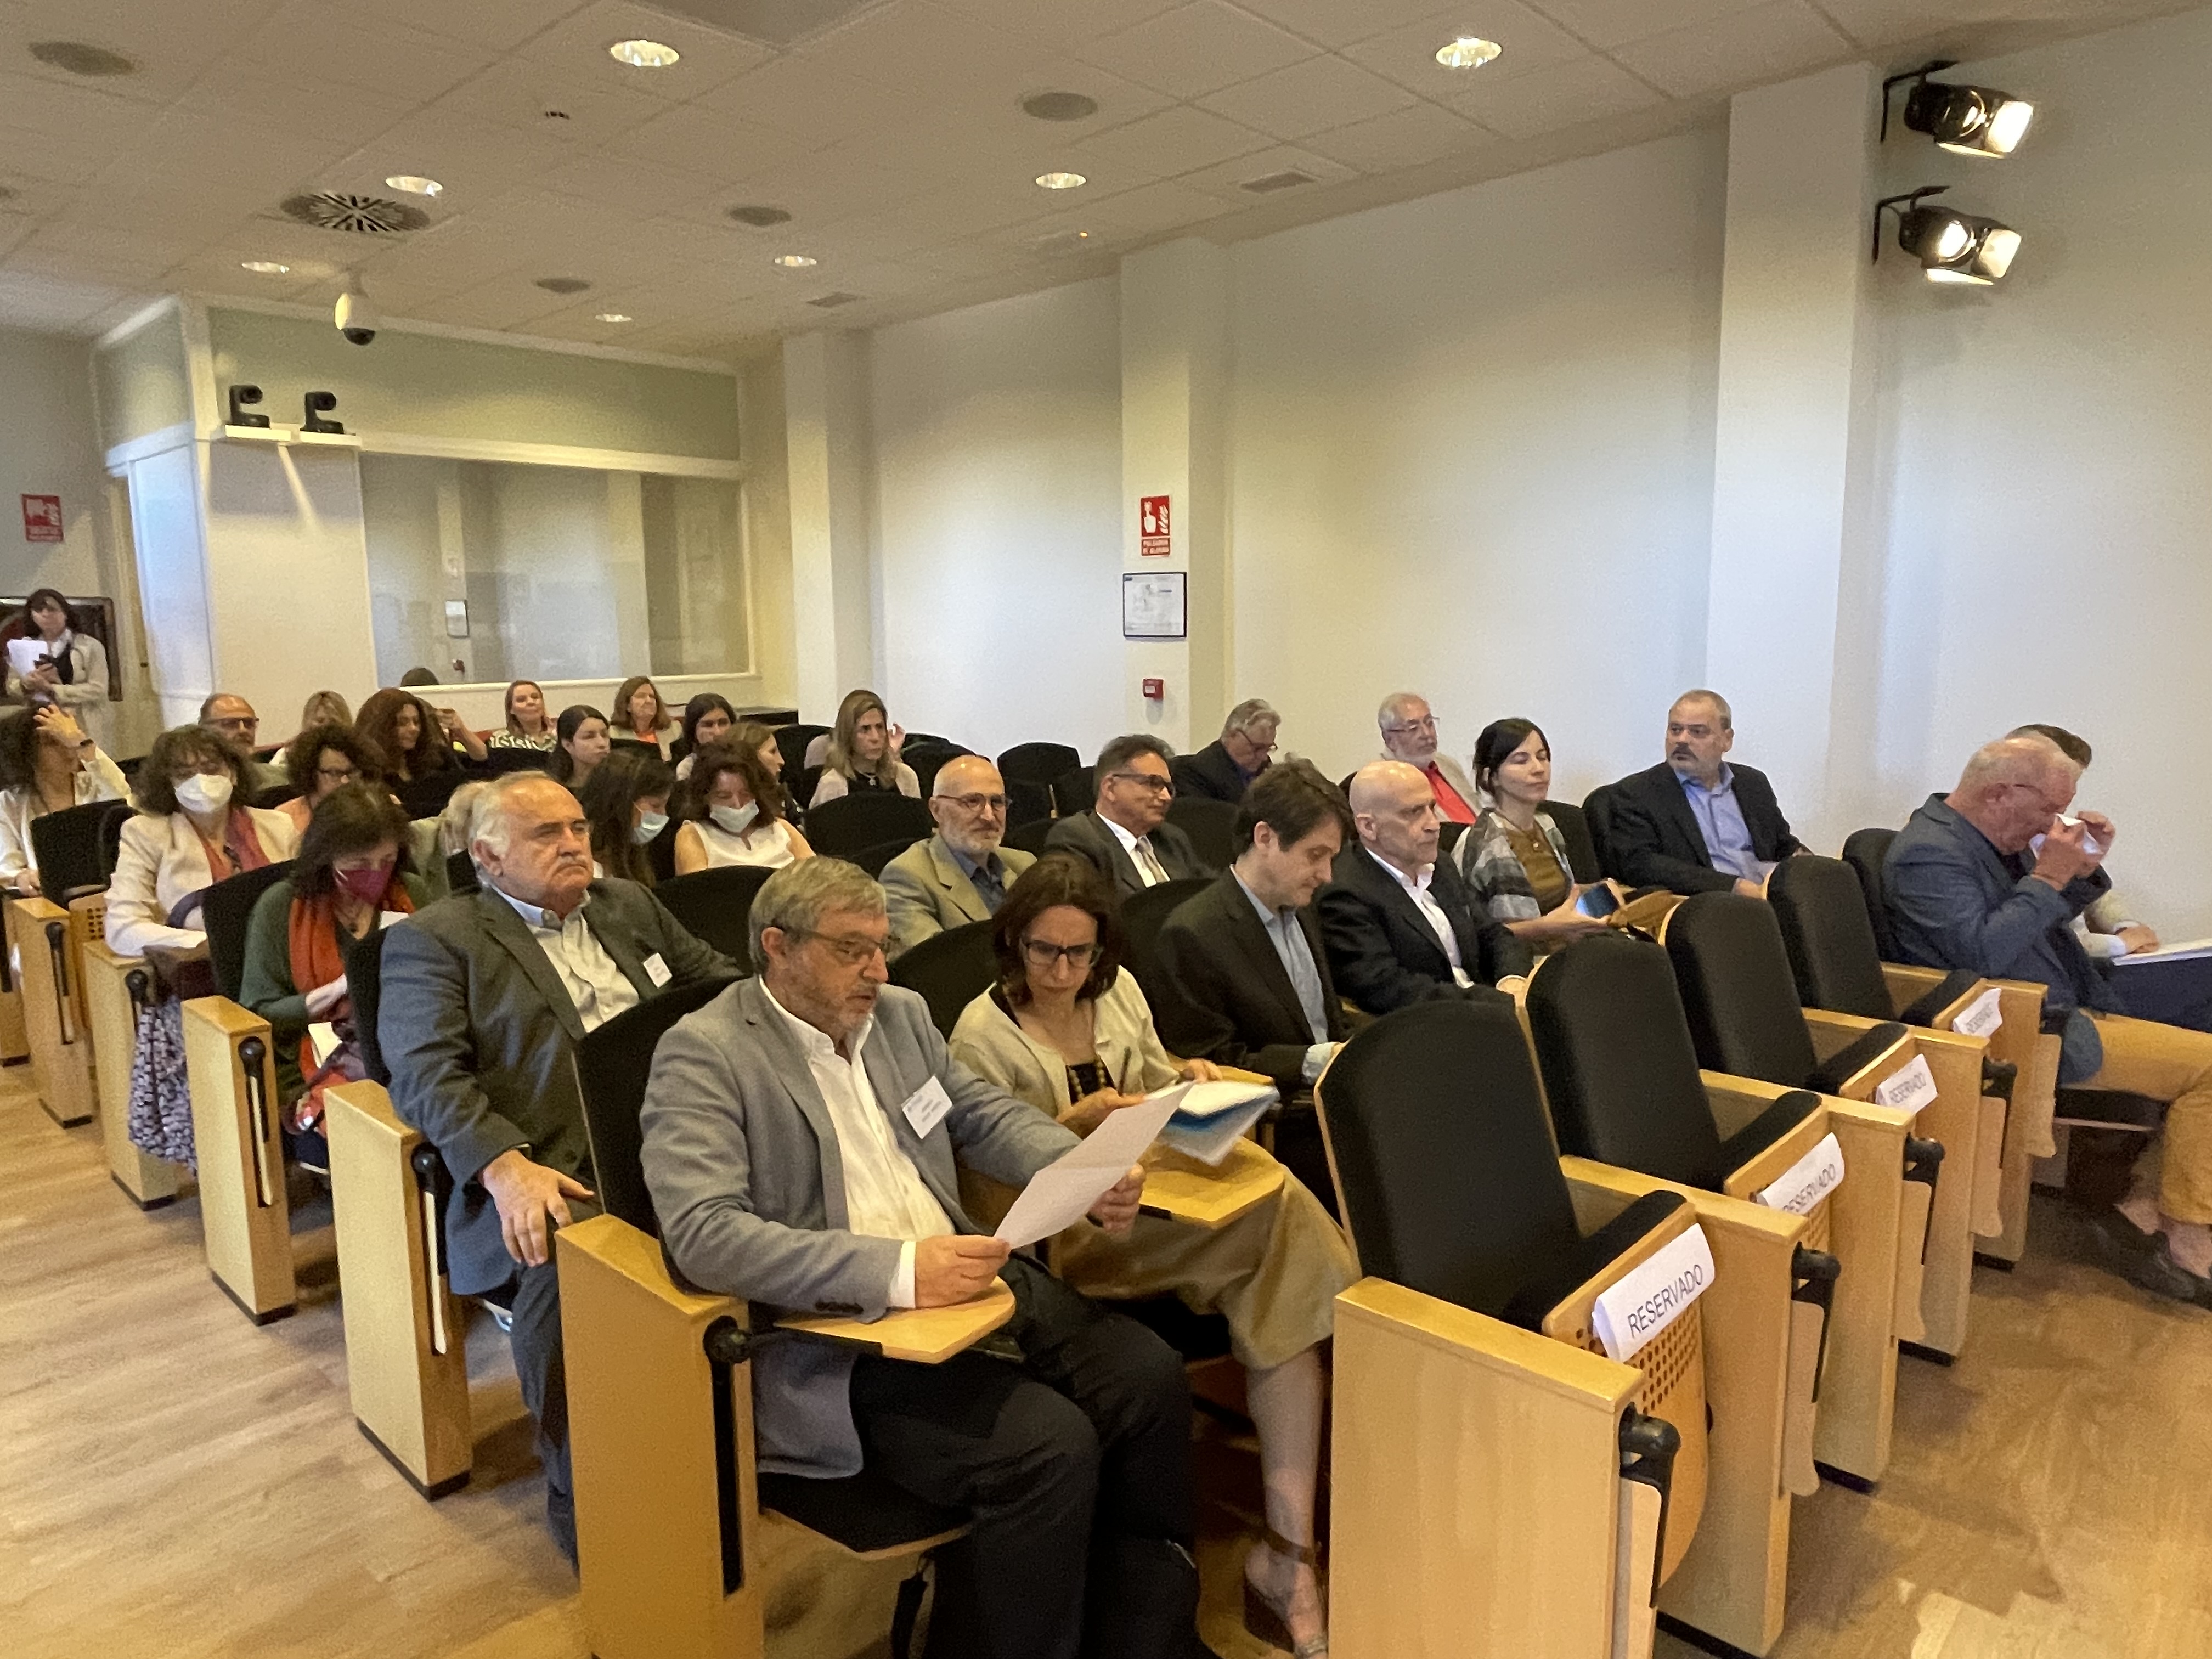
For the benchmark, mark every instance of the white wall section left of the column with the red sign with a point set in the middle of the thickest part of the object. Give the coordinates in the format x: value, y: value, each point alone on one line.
x: 999, y: 481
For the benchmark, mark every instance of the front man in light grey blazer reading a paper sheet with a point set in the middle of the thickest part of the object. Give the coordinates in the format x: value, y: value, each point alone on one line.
x: 800, y: 1142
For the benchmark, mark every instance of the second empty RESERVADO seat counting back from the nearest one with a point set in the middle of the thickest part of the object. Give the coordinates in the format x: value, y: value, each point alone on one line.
x: 1625, y: 1089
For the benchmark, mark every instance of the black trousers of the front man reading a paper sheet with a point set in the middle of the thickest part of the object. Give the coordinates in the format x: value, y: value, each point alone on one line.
x: 1074, y: 1468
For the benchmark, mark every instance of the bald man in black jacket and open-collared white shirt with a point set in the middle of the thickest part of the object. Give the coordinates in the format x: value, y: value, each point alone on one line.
x: 1399, y: 924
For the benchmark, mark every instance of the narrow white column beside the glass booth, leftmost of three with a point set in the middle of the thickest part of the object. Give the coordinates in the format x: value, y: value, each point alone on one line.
x: 828, y: 463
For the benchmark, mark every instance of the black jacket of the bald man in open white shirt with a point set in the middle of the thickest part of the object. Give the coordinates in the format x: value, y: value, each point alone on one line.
x: 1381, y: 948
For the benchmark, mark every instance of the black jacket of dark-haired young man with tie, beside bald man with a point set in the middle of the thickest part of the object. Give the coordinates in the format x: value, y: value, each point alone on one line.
x: 1227, y: 994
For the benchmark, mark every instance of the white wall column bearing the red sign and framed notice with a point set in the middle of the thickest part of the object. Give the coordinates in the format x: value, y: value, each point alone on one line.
x: 1176, y: 373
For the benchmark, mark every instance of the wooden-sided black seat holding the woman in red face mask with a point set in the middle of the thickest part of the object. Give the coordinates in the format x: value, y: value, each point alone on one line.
x: 238, y: 1120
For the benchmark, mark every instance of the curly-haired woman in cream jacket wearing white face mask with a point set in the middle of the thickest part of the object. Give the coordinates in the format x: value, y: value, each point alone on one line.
x: 191, y: 831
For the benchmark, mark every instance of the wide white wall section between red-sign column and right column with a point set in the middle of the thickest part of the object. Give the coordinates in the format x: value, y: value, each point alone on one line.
x: 1472, y: 457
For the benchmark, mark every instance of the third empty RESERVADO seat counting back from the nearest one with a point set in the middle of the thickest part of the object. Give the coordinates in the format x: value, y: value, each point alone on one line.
x: 1749, y: 1023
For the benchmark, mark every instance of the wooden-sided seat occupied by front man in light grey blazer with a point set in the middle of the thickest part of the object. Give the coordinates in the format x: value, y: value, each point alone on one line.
x: 674, y: 1519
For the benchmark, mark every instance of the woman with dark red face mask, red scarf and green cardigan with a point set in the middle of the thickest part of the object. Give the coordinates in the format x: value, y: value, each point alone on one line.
x: 353, y: 877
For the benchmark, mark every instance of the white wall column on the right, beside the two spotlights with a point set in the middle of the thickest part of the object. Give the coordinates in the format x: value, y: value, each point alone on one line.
x: 1793, y: 441
